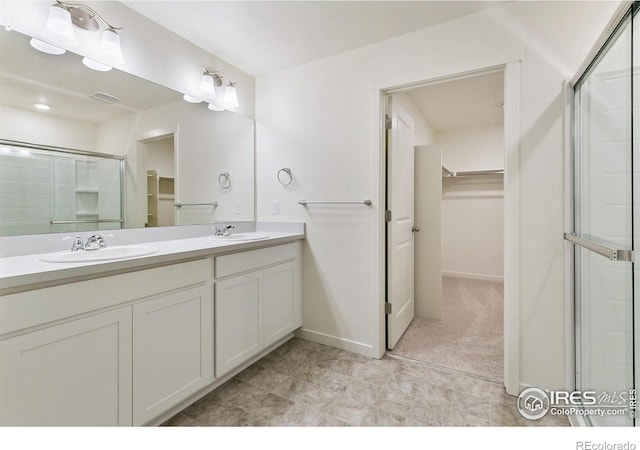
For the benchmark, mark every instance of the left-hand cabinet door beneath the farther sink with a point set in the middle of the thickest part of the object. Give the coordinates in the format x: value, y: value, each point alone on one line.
x: 238, y: 318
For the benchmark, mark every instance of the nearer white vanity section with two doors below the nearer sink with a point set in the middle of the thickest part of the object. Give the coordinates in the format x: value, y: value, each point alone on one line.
x: 117, y: 350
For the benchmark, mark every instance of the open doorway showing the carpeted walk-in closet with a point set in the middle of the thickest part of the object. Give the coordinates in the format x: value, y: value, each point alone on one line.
x: 445, y: 224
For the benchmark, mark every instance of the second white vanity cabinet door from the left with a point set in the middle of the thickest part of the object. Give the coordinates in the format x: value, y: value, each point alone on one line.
x: 172, y: 350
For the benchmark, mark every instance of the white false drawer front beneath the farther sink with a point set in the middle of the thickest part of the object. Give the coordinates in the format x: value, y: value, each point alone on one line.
x: 254, y: 259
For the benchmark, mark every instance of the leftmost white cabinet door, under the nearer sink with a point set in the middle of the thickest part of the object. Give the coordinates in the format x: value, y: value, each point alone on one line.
x: 74, y: 374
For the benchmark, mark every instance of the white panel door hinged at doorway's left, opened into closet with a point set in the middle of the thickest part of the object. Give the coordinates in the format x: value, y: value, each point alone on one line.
x: 400, y: 243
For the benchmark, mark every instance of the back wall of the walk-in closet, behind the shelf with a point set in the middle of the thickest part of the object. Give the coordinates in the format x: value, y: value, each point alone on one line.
x: 473, y: 208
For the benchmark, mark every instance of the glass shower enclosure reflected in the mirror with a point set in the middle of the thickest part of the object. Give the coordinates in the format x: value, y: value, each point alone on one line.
x: 47, y: 189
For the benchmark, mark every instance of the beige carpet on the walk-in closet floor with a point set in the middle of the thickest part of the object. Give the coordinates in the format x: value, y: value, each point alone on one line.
x: 470, y: 336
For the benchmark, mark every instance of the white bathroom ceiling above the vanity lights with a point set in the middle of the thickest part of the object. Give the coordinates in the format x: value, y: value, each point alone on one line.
x: 260, y: 37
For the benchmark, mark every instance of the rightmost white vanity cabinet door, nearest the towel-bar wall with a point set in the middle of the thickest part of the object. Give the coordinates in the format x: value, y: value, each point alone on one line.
x: 281, y: 301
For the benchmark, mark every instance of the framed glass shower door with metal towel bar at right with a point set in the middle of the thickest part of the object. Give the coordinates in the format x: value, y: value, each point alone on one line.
x: 604, y: 225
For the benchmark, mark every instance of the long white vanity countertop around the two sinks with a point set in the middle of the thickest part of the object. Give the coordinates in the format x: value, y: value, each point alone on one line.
x: 28, y: 271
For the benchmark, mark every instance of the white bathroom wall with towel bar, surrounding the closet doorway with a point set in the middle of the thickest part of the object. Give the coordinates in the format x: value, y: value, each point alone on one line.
x: 331, y: 144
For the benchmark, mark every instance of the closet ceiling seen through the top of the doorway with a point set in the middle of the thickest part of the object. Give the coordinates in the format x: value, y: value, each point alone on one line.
x: 464, y: 103
